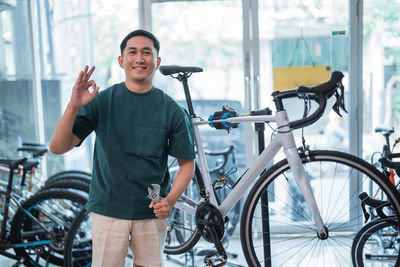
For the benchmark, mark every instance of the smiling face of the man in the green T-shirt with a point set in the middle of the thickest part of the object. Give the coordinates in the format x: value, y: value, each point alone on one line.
x: 140, y: 61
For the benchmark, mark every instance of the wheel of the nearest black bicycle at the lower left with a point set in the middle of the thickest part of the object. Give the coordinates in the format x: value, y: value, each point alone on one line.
x: 55, y: 208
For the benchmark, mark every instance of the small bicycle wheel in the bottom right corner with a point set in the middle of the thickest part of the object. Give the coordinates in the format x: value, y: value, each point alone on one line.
x: 376, y: 244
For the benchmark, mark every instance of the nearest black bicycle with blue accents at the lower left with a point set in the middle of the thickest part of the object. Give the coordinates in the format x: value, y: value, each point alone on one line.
x: 38, y: 225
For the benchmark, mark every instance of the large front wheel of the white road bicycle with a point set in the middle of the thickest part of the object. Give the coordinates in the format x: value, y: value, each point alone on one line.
x: 340, y: 207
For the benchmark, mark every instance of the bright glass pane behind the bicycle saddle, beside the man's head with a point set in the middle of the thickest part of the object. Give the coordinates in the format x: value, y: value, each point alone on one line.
x: 201, y: 37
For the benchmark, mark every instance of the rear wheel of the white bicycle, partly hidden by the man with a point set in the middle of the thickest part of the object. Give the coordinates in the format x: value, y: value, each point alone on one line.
x: 182, y: 234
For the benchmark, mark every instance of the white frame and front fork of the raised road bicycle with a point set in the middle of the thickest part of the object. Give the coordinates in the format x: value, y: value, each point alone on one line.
x: 283, y: 139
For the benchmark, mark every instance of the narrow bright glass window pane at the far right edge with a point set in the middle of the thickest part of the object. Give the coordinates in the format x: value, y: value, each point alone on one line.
x: 381, y: 73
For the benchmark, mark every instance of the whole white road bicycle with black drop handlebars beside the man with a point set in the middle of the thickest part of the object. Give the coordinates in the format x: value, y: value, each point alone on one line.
x: 329, y: 181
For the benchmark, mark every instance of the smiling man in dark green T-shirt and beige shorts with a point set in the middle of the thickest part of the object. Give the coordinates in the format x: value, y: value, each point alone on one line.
x: 136, y: 126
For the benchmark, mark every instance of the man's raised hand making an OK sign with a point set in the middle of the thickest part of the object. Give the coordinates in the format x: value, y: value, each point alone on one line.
x: 80, y: 92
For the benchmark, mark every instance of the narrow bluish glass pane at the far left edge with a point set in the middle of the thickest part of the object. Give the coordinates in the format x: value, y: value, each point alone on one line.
x: 16, y: 105
